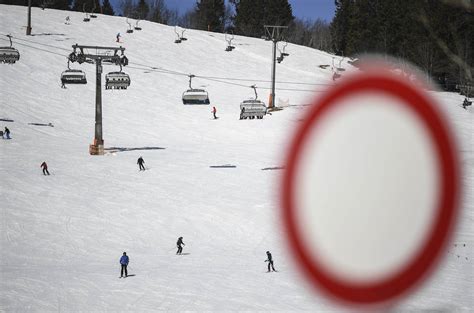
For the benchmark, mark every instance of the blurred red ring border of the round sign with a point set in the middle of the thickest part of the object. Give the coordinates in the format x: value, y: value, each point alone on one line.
x: 423, y: 262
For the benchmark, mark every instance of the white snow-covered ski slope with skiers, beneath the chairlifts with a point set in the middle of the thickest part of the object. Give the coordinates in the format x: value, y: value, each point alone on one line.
x: 62, y: 235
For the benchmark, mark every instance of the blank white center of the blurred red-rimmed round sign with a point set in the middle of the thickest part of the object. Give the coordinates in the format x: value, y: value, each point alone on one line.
x: 366, y: 188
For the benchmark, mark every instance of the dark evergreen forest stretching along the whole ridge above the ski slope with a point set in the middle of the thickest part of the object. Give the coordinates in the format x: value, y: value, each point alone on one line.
x: 435, y: 35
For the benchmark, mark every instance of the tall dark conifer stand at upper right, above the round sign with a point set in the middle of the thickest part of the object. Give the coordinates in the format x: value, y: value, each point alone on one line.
x: 435, y: 35
